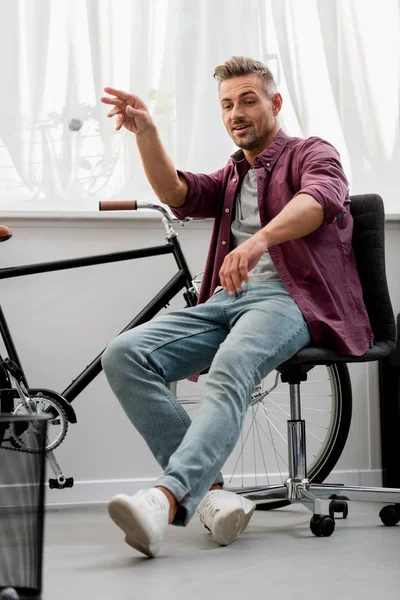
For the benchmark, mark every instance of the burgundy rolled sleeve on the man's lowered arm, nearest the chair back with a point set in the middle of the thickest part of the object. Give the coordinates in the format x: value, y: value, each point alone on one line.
x: 323, y: 178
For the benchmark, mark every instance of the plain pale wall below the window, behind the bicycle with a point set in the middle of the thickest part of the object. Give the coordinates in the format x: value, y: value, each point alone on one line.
x: 61, y: 321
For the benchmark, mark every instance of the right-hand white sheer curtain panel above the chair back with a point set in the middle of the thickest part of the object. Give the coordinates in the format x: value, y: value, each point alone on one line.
x: 341, y: 61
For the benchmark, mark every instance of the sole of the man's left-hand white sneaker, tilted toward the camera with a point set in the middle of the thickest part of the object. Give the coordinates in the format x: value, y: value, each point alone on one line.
x: 129, y: 519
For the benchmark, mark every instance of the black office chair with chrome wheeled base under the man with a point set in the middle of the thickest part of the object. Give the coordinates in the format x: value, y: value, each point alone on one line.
x: 368, y: 244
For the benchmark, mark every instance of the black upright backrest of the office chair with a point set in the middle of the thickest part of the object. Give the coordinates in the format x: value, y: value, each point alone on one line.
x: 368, y: 213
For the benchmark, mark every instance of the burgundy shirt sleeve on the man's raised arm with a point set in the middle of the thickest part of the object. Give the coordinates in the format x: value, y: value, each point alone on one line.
x: 205, y: 193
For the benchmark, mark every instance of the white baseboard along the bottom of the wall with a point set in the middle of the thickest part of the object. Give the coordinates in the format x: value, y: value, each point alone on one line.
x: 93, y: 492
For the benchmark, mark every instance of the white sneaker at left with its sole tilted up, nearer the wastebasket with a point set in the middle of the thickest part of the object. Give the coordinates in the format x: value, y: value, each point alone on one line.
x: 142, y: 517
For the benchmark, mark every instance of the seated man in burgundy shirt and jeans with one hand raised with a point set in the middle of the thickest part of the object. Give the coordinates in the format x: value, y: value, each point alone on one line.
x: 280, y: 273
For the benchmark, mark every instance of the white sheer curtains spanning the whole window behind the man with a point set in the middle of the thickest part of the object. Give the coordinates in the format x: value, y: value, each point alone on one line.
x: 337, y: 65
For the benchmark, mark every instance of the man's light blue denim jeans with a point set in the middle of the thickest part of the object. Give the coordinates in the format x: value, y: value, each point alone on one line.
x: 240, y: 339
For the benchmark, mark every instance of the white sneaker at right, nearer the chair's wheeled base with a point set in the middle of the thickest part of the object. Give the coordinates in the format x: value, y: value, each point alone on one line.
x: 225, y: 514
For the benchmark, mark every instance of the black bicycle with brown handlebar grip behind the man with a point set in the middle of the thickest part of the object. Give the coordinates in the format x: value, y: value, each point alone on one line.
x: 327, y: 409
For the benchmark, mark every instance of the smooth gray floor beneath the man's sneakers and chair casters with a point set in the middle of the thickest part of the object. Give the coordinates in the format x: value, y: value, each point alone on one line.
x: 276, y: 557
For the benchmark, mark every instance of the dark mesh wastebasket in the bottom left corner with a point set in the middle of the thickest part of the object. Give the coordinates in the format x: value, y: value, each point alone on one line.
x: 22, y: 478
